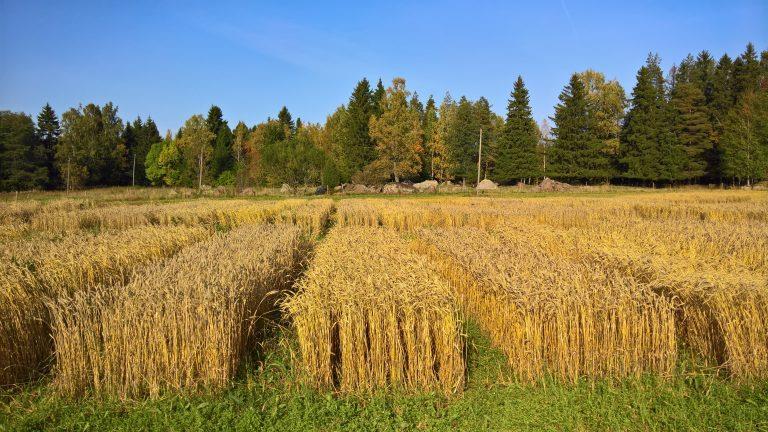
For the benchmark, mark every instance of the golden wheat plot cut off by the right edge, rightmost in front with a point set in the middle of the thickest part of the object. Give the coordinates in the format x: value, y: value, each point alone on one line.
x: 722, y: 315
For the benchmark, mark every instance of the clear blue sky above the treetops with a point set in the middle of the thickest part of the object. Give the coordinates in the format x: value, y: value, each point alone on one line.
x: 174, y: 59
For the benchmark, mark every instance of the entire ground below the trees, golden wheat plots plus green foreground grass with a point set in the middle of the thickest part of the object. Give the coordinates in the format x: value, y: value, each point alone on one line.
x: 592, y: 309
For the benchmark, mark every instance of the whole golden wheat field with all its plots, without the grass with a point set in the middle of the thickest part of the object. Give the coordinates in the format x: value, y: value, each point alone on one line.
x: 128, y: 300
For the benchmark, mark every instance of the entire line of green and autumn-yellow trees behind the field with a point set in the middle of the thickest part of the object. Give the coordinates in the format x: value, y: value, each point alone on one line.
x: 704, y: 121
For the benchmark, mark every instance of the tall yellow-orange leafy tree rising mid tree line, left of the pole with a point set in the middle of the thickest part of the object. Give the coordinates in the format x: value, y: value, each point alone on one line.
x: 397, y: 133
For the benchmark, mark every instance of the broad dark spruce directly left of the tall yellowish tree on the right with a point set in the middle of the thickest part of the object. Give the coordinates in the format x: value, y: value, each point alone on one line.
x: 577, y: 153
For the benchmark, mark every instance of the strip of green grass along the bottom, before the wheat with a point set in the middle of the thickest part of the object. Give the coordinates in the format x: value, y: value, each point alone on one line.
x: 269, y: 399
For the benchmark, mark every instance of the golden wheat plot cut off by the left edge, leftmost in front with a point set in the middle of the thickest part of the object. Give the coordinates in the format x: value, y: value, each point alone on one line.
x: 42, y: 271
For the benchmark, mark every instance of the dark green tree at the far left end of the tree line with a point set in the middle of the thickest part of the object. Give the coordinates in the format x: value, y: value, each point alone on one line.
x: 22, y: 155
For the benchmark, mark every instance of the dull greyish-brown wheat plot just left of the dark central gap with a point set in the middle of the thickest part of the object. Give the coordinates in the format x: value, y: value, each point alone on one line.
x: 182, y: 324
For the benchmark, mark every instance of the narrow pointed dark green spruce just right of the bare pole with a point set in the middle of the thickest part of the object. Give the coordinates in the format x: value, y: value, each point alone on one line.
x: 517, y: 158
